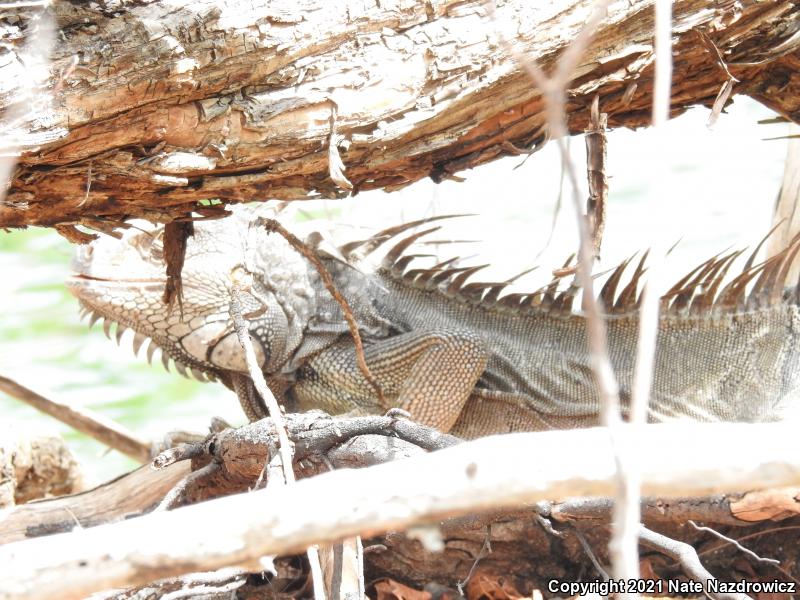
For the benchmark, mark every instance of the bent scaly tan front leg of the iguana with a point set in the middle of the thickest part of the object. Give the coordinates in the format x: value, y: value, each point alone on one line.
x: 430, y: 374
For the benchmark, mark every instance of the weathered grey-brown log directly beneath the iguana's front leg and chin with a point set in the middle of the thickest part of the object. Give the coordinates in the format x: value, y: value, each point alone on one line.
x: 241, y: 454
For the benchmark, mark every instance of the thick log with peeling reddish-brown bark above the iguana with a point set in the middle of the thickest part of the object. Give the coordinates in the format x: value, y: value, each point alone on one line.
x: 156, y: 106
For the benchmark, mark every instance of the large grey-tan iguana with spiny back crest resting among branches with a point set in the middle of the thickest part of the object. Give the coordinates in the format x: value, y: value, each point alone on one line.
x: 453, y: 353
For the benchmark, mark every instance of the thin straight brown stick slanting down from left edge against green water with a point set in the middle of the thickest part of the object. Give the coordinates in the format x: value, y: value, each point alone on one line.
x: 96, y: 426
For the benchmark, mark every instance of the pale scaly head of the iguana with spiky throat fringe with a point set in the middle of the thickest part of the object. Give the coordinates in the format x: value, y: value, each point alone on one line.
x: 123, y: 280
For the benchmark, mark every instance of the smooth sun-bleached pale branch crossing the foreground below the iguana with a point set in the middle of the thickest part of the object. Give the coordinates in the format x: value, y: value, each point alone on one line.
x: 684, y: 459
